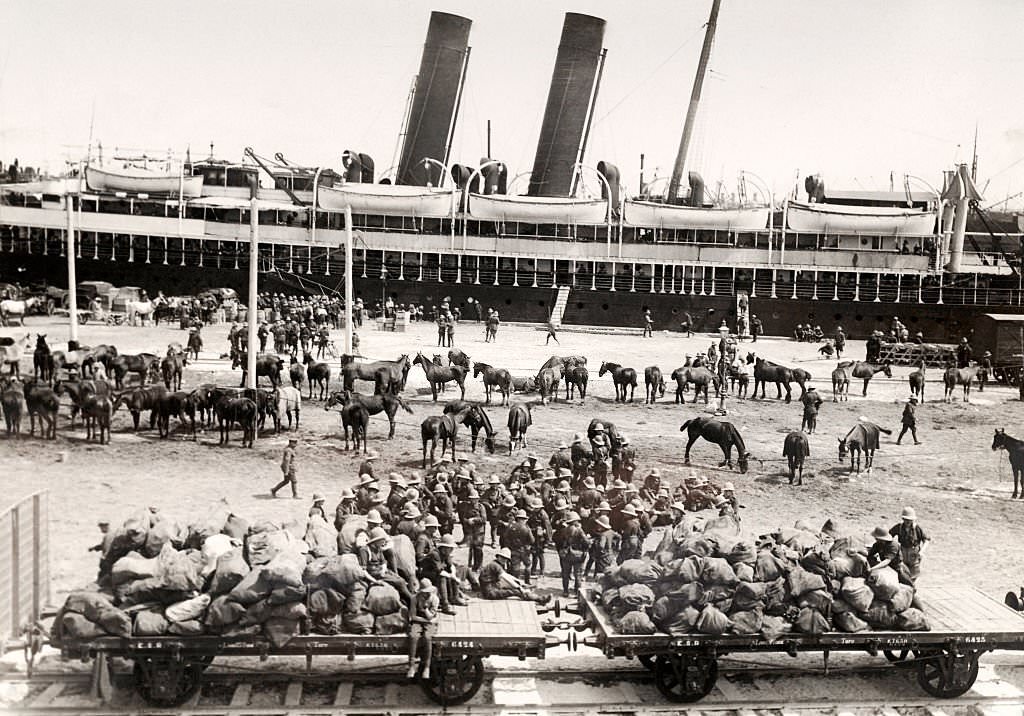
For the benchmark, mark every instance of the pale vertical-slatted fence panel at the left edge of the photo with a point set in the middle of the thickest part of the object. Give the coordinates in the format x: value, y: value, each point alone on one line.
x: 25, y: 565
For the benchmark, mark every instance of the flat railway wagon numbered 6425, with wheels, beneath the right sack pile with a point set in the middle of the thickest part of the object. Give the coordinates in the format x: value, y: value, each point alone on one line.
x: 965, y: 624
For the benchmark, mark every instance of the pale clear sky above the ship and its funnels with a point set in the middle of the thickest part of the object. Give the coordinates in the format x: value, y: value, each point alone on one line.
x: 856, y: 92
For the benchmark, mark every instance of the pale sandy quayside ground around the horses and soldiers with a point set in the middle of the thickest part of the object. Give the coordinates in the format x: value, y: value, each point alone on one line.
x: 959, y: 486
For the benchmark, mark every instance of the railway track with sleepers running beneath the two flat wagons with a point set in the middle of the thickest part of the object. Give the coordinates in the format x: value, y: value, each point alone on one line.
x: 751, y: 690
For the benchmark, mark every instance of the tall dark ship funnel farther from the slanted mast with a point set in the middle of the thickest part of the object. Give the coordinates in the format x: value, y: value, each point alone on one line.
x: 436, y: 101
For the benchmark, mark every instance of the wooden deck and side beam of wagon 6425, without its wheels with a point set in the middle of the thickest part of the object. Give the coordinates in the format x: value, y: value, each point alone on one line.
x: 962, y: 613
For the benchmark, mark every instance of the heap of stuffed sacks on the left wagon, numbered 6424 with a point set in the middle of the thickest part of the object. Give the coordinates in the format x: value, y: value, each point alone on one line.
x: 224, y: 576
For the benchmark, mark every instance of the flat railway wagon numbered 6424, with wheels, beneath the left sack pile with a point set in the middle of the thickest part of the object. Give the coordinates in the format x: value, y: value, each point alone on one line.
x: 168, y: 670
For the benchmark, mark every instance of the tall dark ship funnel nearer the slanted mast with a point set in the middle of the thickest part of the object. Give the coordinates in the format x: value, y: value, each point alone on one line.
x: 571, y: 104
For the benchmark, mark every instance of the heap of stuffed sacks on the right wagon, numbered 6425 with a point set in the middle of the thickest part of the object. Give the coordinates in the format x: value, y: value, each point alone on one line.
x: 793, y: 581
